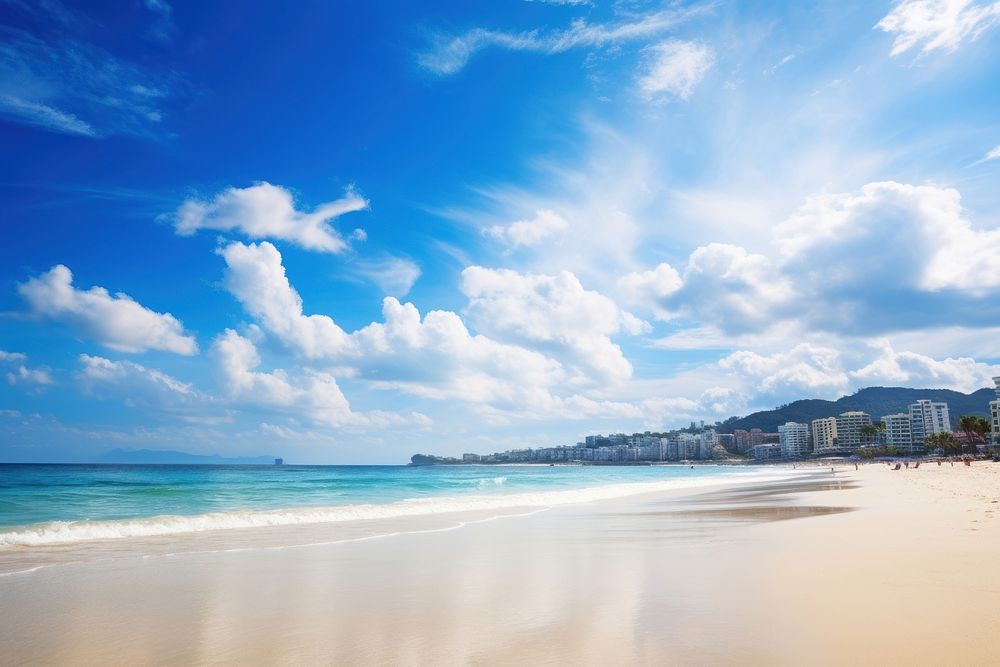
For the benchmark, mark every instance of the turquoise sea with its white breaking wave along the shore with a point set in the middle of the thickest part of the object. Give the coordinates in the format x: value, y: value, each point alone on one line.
x: 65, y: 504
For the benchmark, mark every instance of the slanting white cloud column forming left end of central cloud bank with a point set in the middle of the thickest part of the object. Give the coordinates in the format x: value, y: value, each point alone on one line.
x: 256, y: 277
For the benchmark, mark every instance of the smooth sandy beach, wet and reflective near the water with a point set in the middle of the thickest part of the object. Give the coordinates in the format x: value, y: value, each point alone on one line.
x: 871, y: 566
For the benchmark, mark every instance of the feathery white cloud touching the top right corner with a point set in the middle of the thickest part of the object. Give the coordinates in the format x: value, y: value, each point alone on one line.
x: 938, y: 24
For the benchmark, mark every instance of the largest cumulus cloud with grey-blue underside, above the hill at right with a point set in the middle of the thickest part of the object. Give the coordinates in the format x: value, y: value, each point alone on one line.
x: 887, y: 257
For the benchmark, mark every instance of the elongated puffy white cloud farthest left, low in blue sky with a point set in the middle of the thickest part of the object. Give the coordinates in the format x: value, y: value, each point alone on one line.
x: 117, y: 322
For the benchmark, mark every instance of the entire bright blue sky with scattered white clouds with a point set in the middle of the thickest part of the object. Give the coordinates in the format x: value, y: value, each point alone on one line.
x: 349, y: 232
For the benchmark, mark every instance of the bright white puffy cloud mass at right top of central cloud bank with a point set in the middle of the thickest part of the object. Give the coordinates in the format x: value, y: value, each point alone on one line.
x: 554, y: 313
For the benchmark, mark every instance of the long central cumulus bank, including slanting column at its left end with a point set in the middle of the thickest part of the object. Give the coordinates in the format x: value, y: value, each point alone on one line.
x: 435, y: 355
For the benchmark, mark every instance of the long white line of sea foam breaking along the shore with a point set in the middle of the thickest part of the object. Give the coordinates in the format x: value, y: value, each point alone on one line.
x: 64, y: 532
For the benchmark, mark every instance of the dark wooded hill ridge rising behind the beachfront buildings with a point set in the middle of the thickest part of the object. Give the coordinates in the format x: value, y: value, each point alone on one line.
x: 876, y: 401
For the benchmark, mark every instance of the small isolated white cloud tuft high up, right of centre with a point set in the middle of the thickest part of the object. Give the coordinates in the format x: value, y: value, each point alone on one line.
x: 674, y: 68
